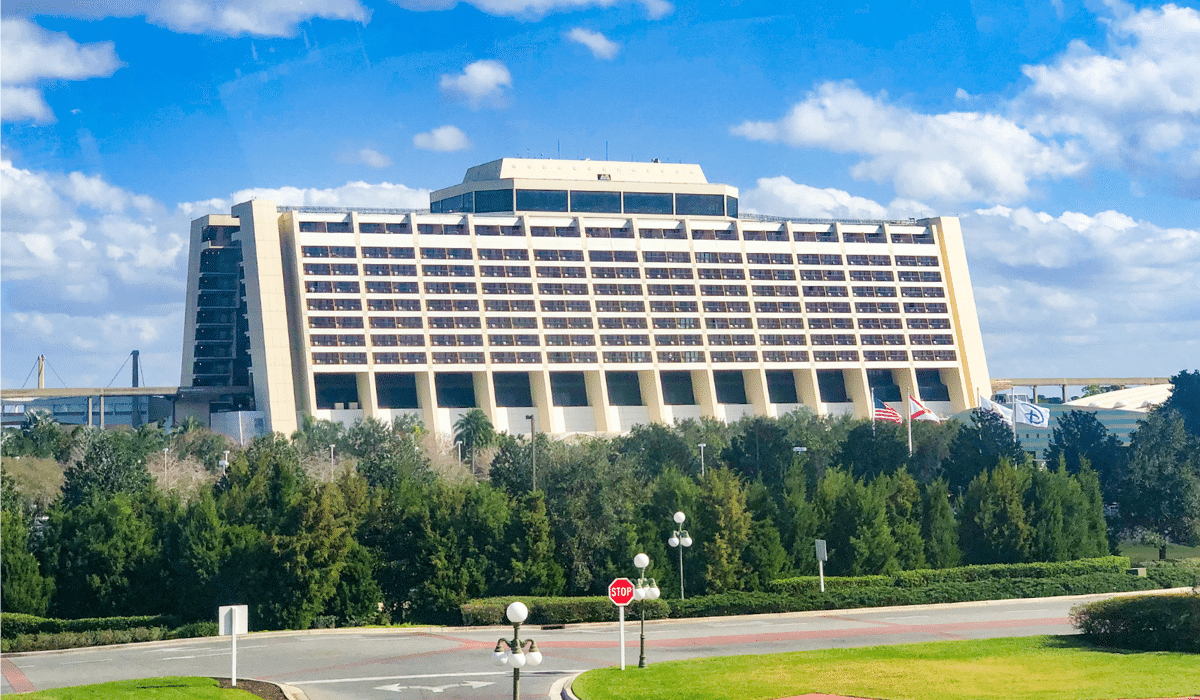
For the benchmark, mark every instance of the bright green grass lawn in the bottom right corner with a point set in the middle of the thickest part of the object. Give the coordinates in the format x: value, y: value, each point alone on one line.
x: 1034, y: 668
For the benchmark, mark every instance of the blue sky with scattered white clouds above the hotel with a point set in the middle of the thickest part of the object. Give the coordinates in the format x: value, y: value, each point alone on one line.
x: 1065, y: 134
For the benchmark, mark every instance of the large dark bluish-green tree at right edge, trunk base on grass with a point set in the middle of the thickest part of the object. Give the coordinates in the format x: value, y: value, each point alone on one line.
x: 1162, y: 493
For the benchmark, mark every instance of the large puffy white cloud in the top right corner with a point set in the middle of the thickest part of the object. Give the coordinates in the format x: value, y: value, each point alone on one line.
x: 1136, y: 104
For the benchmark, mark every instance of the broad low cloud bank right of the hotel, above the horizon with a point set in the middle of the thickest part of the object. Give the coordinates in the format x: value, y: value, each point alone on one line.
x: 1078, y: 295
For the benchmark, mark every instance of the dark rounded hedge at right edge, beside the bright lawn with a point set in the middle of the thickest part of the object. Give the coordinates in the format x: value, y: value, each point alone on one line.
x: 1143, y: 623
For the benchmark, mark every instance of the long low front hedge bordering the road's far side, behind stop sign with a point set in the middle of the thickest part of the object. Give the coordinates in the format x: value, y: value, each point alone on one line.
x: 569, y: 611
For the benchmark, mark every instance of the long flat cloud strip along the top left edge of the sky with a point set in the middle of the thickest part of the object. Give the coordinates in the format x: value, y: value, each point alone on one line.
x: 215, y: 17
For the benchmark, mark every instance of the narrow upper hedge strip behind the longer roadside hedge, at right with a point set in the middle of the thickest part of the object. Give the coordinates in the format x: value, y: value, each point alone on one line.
x: 921, y: 578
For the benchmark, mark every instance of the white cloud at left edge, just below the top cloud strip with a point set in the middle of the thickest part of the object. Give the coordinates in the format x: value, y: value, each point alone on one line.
x: 31, y: 55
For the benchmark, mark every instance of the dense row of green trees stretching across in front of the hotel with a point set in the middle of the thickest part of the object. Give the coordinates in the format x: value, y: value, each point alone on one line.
x: 393, y: 525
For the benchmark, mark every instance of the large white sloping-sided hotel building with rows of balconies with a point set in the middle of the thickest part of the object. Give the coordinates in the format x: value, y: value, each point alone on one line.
x: 592, y: 295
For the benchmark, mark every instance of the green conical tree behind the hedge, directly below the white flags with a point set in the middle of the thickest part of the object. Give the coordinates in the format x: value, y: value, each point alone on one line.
x: 994, y: 528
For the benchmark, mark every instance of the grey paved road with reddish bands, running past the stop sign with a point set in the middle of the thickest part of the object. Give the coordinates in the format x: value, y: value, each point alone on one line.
x: 455, y: 663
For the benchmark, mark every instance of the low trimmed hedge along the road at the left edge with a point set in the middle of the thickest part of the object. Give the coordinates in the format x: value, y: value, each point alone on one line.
x: 25, y: 633
